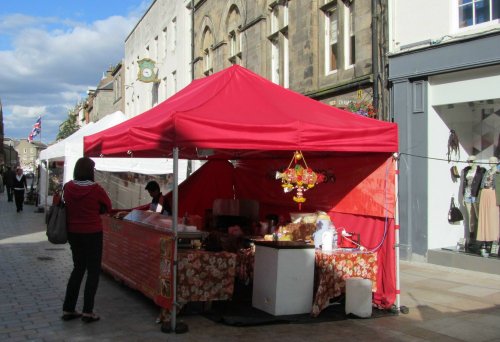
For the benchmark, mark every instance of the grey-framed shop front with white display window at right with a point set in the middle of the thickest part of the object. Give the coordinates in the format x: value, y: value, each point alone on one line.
x: 442, y: 97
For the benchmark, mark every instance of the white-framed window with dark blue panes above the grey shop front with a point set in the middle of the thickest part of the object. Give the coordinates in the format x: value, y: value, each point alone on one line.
x: 474, y: 12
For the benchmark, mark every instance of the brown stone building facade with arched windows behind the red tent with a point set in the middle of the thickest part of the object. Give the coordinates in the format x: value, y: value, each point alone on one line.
x: 320, y: 48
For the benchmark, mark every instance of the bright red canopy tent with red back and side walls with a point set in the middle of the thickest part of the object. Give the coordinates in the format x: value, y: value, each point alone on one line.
x: 236, y: 114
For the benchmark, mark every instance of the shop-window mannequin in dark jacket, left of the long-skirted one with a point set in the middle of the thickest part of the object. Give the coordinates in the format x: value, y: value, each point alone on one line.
x: 472, y: 176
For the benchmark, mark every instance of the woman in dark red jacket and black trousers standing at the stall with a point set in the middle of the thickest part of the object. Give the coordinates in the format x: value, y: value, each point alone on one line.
x: 85, y: 201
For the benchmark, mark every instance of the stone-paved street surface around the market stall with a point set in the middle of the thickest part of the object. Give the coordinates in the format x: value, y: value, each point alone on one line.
x: 445, y: 304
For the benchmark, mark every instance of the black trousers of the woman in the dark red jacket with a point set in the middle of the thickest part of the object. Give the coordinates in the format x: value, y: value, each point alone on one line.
x: 87, y: 254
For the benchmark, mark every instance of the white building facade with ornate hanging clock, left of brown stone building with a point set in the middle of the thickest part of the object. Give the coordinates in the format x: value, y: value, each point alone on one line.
x: 162, y: 37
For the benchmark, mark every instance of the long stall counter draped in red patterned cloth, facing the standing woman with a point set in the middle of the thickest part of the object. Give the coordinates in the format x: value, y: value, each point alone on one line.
x: 139, y: 252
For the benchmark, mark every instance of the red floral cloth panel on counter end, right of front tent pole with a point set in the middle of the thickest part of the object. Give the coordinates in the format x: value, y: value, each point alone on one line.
x: 205, y: 276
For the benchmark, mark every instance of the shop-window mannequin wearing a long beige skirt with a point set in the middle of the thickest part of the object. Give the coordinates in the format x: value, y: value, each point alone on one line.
x: 488, y: 227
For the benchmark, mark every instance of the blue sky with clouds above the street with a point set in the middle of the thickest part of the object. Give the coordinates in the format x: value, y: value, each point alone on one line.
x: 52, y: 52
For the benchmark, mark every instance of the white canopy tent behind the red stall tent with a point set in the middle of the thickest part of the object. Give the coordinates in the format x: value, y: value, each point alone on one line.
x: 70, y: 150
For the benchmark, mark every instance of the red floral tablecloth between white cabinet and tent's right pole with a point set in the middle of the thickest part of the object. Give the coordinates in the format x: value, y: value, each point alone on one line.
x: 332, y: 269
